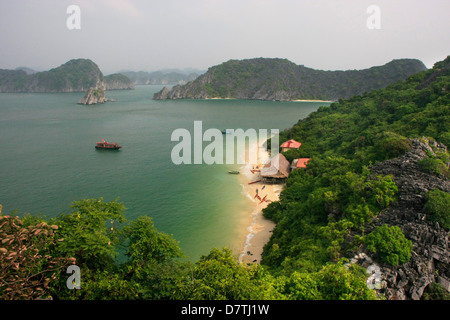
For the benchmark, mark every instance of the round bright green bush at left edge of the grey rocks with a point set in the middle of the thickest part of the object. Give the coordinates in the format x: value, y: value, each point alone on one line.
x: 390, y: 245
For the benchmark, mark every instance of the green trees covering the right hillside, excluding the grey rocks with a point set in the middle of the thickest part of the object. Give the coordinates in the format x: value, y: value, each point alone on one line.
x: 337, y: 195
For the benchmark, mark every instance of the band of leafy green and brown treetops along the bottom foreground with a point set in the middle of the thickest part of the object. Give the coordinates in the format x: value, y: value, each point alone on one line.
x: 121, y: 259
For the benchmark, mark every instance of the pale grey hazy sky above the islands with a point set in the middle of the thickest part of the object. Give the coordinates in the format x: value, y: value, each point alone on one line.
x: 150, y: 35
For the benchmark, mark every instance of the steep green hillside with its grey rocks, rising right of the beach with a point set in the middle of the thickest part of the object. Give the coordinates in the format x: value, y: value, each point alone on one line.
x: 376, y: 189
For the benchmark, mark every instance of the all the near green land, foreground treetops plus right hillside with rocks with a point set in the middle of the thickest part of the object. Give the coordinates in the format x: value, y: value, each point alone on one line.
x: 376, y: 192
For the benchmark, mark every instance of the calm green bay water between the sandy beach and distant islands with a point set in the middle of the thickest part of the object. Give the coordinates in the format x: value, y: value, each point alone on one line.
x: 48, y: 160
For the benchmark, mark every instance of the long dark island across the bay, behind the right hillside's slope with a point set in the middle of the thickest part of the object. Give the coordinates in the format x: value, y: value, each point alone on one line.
x: 283, y: 80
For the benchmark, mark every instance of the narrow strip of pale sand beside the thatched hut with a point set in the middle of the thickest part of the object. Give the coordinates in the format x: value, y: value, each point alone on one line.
x: 258, y: 229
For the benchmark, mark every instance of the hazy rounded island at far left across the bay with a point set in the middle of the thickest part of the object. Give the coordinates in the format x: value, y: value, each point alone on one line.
x: 76, y: 75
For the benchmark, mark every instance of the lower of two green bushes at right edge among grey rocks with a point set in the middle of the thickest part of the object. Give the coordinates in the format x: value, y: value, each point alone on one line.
x: 437, y: 206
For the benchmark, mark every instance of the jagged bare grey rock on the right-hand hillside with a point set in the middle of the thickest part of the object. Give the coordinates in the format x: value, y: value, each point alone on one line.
x: 430, y: 258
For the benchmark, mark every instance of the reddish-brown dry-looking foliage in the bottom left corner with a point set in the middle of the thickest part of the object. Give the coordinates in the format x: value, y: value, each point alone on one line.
x: 27, y: 267
